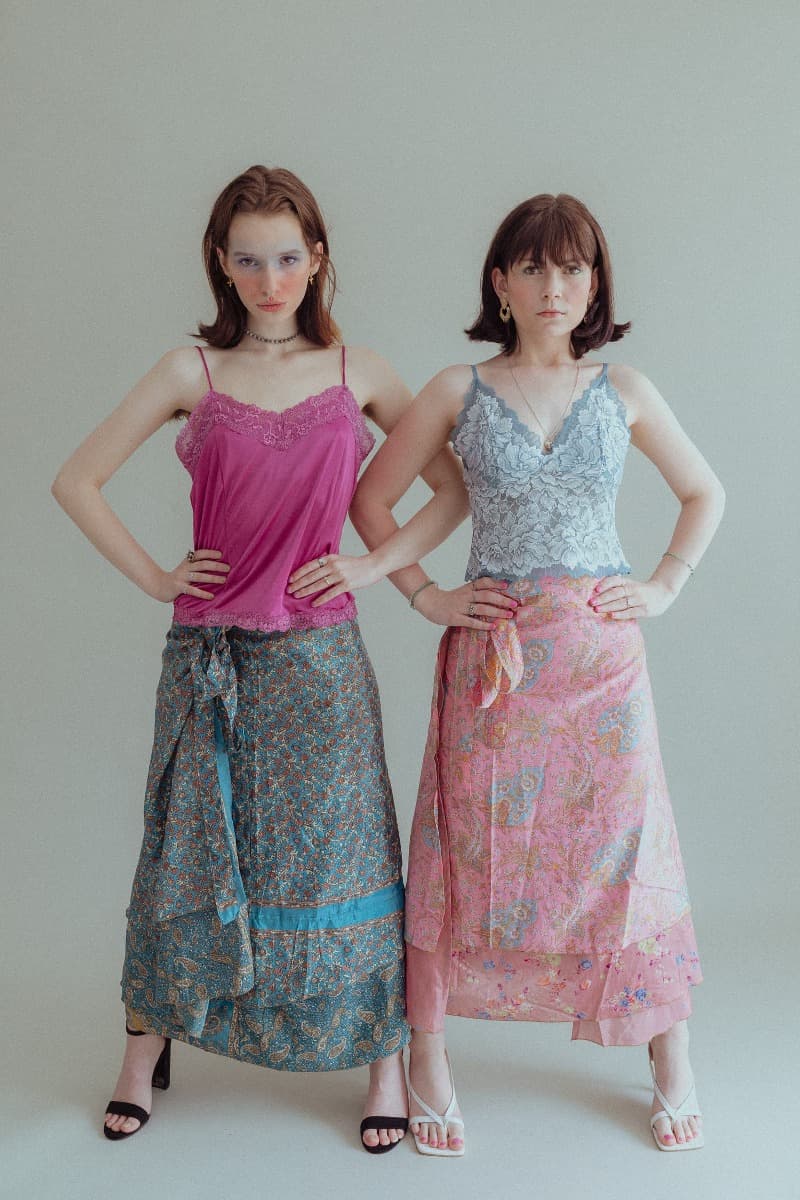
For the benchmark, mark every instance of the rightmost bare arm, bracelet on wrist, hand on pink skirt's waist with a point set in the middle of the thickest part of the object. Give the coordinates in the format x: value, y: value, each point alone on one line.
x: 658, y: 434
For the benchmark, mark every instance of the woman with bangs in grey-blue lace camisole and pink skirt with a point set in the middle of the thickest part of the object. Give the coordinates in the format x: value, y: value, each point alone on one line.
x: 545, y: 875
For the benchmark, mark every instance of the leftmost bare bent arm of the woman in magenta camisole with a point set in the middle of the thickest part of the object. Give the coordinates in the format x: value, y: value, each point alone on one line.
x: 177, y: 382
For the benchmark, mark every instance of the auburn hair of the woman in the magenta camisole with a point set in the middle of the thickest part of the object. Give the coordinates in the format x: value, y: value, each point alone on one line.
x: 268, y: 190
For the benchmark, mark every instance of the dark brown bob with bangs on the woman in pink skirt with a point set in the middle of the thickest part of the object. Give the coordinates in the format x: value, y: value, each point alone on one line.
x: 558, y: 230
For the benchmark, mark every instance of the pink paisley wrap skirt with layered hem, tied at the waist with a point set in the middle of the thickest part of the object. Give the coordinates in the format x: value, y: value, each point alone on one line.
x: 545, y: 875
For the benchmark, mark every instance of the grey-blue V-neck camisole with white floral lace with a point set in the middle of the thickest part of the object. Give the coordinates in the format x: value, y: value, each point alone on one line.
x: 538, y: 514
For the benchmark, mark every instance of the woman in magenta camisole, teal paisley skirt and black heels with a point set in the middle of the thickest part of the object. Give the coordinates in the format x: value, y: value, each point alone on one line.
x: 267, y: 914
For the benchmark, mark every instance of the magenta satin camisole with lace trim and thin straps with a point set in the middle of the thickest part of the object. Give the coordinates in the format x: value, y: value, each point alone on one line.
x: 272, y: 491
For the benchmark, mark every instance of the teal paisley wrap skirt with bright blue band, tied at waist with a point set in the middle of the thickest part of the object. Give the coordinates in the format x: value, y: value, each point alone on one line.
x: 267, y: 914
